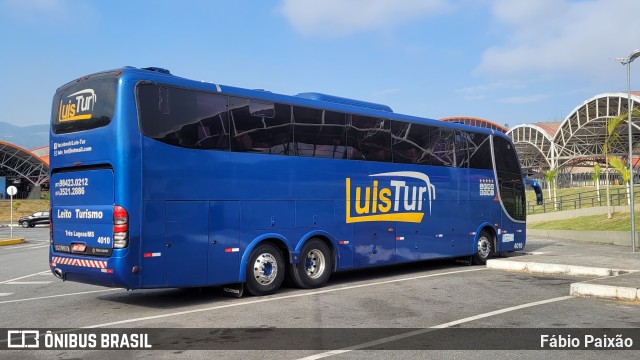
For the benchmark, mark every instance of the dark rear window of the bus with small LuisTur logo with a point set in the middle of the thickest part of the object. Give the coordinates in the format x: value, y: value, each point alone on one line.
x: 84, y: 105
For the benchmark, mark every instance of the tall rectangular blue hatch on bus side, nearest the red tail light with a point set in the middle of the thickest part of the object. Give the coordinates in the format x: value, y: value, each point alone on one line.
x: 186, y: 243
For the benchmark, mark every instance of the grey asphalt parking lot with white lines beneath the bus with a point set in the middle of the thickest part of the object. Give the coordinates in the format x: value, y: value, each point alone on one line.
x: 396, y: 308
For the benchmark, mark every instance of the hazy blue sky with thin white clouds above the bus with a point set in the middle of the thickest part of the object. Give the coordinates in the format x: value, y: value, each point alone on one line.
x: 507, y: 61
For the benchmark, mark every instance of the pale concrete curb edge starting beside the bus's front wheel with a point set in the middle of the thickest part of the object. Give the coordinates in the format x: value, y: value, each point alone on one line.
x: 544, y: 268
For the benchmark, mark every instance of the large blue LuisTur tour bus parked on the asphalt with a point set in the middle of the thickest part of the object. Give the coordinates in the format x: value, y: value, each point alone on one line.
x: 159, y: 181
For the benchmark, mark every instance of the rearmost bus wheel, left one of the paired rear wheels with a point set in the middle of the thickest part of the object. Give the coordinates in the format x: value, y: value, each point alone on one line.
x: 265, y: 270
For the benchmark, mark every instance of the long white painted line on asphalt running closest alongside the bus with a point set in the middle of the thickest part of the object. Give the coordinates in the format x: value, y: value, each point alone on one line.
x: 275, y: 298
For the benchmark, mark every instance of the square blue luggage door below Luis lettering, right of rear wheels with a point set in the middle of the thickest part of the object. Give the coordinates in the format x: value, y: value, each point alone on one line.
x: 375, y: 243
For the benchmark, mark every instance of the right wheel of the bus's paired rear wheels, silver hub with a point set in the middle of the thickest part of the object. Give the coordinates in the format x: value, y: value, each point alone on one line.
x: 315, y: 265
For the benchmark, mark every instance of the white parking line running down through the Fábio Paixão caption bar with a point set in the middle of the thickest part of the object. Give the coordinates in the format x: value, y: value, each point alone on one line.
x: 441, y: 326
